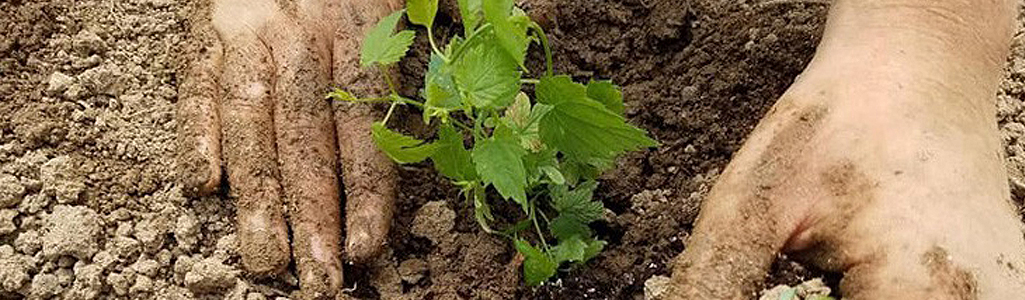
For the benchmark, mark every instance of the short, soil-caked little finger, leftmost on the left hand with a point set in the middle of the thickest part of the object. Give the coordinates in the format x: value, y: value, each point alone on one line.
x: 199, y: 122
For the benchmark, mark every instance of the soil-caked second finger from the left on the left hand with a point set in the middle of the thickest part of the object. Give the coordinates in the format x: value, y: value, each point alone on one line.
x: 250, y: 143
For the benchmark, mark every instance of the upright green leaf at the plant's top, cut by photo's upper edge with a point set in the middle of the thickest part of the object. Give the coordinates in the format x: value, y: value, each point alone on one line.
x: 512, y: 36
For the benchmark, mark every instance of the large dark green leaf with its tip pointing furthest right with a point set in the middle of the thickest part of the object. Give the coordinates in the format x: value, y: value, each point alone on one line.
x: 582, y: 127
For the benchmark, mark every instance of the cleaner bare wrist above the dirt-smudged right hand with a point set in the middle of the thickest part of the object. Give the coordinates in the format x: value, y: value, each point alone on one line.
x: 915, y: 50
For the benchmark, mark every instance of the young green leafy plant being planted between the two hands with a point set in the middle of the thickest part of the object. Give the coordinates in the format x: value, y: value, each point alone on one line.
x: 544, y: 156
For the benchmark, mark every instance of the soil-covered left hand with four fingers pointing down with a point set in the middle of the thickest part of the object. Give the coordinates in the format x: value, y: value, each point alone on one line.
x: 258, y: 88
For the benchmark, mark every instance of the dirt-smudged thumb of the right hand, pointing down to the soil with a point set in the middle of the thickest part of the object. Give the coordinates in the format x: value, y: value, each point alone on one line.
x: 751, y: 213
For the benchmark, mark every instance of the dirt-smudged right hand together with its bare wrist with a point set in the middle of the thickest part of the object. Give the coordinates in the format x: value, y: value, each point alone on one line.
x: 881, y: 162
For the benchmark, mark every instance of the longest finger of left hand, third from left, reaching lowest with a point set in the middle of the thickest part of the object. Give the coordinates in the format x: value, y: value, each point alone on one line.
x: 307, y: 155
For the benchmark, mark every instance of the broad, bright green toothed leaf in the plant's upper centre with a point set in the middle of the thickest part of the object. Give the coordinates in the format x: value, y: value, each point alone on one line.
x: 488, y: 78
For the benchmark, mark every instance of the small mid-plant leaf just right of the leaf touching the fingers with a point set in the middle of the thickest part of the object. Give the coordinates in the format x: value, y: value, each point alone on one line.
x: 452, y: 159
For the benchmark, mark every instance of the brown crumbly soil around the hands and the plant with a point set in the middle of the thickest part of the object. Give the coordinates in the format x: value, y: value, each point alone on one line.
x: 90, y: 206
